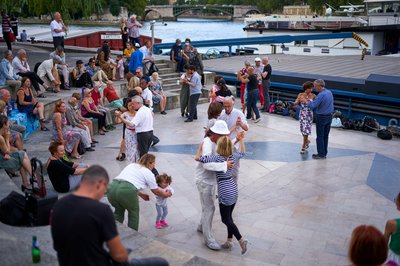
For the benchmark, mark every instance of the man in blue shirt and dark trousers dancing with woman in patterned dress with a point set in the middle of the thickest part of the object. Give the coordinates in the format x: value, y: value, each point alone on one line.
x: 323, y: 108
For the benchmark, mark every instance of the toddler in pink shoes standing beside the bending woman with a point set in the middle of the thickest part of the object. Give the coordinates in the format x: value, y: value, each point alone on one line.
x: 163, y: 182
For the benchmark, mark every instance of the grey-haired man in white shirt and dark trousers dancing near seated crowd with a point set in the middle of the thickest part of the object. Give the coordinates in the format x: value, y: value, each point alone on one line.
x: 143, y: 123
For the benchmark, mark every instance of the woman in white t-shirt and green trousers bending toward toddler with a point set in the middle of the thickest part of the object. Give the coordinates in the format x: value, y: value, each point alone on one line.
x: 125, y: 190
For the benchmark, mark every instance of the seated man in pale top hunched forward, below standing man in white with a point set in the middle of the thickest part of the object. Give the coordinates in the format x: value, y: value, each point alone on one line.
x: 47, y: 71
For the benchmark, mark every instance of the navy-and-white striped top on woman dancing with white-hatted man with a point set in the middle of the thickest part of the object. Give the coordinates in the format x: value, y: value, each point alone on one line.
x: 227, y: 187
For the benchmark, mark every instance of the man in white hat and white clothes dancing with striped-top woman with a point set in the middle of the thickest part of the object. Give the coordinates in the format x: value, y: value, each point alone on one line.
x: 206, y: 182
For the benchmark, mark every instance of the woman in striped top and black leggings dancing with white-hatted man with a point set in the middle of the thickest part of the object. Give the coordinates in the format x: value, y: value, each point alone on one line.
x: 227, y: 187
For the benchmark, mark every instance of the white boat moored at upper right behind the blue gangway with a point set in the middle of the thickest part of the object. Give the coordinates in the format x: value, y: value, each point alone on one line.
x: 380, y: 28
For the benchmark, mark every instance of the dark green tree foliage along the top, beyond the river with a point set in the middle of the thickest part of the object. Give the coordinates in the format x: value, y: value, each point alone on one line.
x: 76, y: 9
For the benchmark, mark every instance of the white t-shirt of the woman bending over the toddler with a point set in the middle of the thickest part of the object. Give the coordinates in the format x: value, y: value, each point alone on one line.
x: 139, y: 176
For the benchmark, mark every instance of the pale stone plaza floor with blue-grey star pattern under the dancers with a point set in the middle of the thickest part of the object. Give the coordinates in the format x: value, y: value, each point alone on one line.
x: 294, y: 210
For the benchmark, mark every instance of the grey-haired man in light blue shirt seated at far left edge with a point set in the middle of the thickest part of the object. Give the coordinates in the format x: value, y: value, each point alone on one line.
x: 7, y: 75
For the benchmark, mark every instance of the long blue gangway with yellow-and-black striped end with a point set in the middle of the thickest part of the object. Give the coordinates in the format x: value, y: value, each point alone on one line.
x: 264, y: 40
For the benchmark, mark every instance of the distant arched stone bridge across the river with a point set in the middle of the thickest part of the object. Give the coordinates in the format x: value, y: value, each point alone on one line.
x: 171, y: 12
